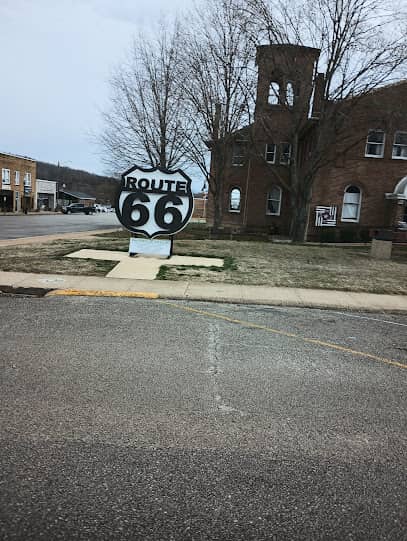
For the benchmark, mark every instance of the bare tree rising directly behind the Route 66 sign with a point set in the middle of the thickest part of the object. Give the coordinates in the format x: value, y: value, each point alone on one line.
x: 147, y: 122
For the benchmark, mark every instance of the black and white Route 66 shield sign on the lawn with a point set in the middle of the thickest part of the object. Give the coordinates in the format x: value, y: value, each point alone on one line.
x: 154, y: 201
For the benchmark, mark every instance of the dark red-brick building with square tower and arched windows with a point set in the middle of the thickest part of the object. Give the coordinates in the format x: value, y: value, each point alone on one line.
x: 363, y: 185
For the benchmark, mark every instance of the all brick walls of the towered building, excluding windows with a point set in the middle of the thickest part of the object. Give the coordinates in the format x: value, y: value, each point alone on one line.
x: 384, y: 109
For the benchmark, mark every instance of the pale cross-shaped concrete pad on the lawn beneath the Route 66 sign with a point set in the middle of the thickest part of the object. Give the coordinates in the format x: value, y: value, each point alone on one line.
x: 142, y: 268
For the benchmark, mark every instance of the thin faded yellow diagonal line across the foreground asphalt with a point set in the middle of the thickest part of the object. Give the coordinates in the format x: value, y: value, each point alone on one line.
x: 321, y: 343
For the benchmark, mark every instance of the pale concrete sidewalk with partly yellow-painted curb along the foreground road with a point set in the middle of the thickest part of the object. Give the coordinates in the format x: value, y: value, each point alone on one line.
x: 165, y: 289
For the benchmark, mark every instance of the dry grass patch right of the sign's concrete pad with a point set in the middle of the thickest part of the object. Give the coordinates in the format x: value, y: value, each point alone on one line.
x: 322, y: 267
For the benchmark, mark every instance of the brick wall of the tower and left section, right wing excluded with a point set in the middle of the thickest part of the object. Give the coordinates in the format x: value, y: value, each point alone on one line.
x: 273, y: 124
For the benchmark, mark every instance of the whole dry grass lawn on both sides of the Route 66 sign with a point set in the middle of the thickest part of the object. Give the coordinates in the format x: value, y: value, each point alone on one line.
x: 347, y: 268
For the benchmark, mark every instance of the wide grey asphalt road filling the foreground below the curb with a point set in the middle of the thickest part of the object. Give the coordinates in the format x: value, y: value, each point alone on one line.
x: 135, y: 419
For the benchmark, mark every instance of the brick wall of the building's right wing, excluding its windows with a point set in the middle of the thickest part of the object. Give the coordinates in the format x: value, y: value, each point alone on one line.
x: 385, y: 110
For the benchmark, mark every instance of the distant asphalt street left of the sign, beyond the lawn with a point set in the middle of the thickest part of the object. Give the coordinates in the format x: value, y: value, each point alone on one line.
x: 14, y: 227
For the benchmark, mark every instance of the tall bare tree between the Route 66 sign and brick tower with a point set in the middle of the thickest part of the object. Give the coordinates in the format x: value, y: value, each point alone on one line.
x: 218, y: 87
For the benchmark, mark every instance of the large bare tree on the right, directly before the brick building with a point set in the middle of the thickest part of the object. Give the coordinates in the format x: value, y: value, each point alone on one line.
x: 361, y: 49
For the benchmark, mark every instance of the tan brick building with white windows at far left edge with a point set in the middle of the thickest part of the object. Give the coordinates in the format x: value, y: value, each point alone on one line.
x: 18, y: 178
